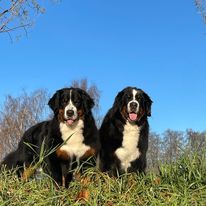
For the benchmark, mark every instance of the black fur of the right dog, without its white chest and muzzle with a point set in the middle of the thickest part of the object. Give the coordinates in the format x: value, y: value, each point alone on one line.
x: 112, y: 128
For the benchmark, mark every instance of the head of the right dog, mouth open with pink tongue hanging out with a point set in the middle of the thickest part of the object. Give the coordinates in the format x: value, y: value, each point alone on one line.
x: 133, y: 104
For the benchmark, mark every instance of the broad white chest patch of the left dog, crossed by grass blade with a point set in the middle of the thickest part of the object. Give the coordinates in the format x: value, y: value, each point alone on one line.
x: 73, y: 136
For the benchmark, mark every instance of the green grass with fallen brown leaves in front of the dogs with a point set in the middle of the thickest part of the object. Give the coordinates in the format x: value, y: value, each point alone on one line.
x: 179, y: 183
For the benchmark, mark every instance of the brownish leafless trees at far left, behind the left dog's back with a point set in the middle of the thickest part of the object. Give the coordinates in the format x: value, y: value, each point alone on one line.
x: 17, y: 115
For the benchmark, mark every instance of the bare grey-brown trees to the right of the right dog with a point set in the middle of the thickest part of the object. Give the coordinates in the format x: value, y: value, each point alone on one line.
x: 171, y: 145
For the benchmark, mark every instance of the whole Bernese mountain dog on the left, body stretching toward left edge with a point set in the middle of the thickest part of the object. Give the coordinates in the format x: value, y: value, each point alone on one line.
x: 72, y: 131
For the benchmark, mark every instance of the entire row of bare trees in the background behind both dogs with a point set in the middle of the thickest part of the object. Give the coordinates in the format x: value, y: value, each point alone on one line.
x: 19, y: 113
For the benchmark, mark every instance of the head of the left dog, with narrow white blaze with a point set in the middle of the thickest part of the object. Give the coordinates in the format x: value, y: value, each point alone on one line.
x: 71, y: 104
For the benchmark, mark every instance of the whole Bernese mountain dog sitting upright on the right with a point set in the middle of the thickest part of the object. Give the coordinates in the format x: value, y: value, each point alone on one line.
x: 124, y: 133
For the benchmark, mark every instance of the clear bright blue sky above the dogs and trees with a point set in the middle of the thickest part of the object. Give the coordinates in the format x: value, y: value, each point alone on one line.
x: 158, y: 46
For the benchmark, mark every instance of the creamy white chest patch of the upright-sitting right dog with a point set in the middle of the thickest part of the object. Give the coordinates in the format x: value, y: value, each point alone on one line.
x: 129, y: 150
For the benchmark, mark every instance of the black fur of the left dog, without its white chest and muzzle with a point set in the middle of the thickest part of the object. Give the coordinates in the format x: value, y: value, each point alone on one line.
x: 49, y: 132
